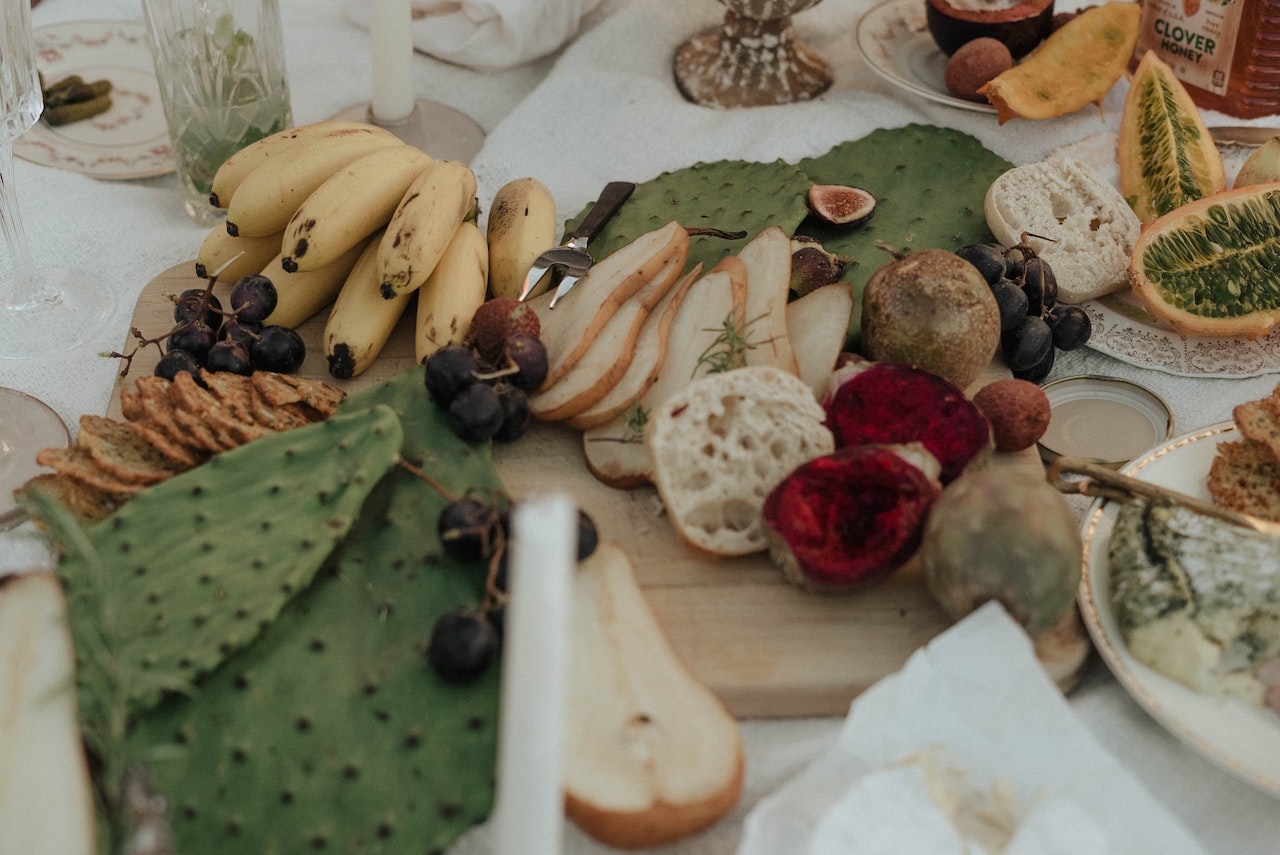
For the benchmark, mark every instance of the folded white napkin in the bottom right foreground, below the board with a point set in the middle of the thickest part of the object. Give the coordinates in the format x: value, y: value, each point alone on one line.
x: 976, y: 703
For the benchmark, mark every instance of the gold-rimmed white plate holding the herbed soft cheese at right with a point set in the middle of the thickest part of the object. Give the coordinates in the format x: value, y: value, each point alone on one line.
x: 1241, y: 739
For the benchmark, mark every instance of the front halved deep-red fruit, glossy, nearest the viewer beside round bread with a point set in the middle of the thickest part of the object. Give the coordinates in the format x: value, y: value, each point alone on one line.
x: 852, y: 518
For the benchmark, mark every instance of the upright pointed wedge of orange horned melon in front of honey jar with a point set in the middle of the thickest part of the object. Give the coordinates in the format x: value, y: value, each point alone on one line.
x: 1167, y: 154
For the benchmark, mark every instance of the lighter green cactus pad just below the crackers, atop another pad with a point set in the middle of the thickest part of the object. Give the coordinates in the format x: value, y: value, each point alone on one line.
x: 191, y: 570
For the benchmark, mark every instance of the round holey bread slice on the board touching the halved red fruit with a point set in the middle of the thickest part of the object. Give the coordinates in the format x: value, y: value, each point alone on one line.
x: 724, y: 443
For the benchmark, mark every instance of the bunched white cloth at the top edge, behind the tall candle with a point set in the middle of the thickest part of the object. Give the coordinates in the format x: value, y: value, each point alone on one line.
x: 488, y: 35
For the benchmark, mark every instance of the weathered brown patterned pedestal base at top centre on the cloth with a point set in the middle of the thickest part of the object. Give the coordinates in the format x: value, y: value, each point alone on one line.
x: 753, y: 60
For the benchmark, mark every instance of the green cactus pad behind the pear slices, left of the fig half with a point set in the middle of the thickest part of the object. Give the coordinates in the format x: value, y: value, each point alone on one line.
x: 728, y: 195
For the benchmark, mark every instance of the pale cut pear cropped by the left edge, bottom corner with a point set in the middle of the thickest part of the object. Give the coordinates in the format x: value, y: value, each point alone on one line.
x: 47, y: 807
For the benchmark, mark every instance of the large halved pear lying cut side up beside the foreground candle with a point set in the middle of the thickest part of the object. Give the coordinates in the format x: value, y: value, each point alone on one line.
x: 655, y: 756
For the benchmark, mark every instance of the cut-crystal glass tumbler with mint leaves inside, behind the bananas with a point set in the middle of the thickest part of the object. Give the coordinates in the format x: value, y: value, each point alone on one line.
x: 221, y: 68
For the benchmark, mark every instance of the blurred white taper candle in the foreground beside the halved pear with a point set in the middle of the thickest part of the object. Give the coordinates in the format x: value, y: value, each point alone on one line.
x: 536, y: 660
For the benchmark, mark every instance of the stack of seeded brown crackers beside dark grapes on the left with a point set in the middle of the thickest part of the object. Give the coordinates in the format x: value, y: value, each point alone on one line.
x: 172, y: 427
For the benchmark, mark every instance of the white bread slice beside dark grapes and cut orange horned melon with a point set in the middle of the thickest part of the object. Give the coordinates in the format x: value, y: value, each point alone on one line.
x: 1092, y: 231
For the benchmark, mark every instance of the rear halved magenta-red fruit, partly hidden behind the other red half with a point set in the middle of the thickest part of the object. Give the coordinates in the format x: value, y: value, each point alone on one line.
x: 894, y: 404
